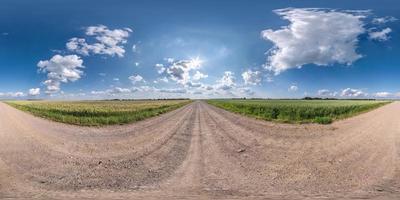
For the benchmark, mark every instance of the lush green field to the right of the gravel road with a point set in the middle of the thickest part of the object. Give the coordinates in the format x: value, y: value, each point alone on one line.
x: 298, y: 111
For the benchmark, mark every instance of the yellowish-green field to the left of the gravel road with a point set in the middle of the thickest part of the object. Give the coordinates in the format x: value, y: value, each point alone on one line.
x: 97, y: 113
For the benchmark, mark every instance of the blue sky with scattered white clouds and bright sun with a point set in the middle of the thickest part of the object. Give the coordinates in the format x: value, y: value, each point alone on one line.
x: 199, y: 49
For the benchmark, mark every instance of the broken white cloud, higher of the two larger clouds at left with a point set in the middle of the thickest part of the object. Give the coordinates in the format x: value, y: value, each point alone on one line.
x: 108, y: 42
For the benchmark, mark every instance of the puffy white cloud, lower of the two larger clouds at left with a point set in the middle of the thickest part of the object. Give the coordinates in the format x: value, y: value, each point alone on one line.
x: 61, y: 69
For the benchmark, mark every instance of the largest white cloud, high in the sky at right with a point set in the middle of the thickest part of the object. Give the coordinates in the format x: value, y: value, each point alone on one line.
x: 314, y: 36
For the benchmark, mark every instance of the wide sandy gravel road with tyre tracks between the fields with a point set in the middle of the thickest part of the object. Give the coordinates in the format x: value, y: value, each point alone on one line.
x: 201, y: 152
